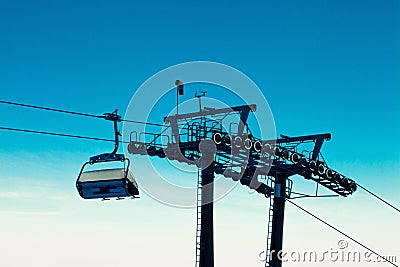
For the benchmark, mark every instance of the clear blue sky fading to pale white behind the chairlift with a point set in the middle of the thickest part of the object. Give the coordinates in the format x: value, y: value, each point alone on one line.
x: 324, y: 66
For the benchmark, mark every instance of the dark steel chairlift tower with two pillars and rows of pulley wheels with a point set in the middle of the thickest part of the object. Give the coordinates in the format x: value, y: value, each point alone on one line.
x: 266, y: 166
